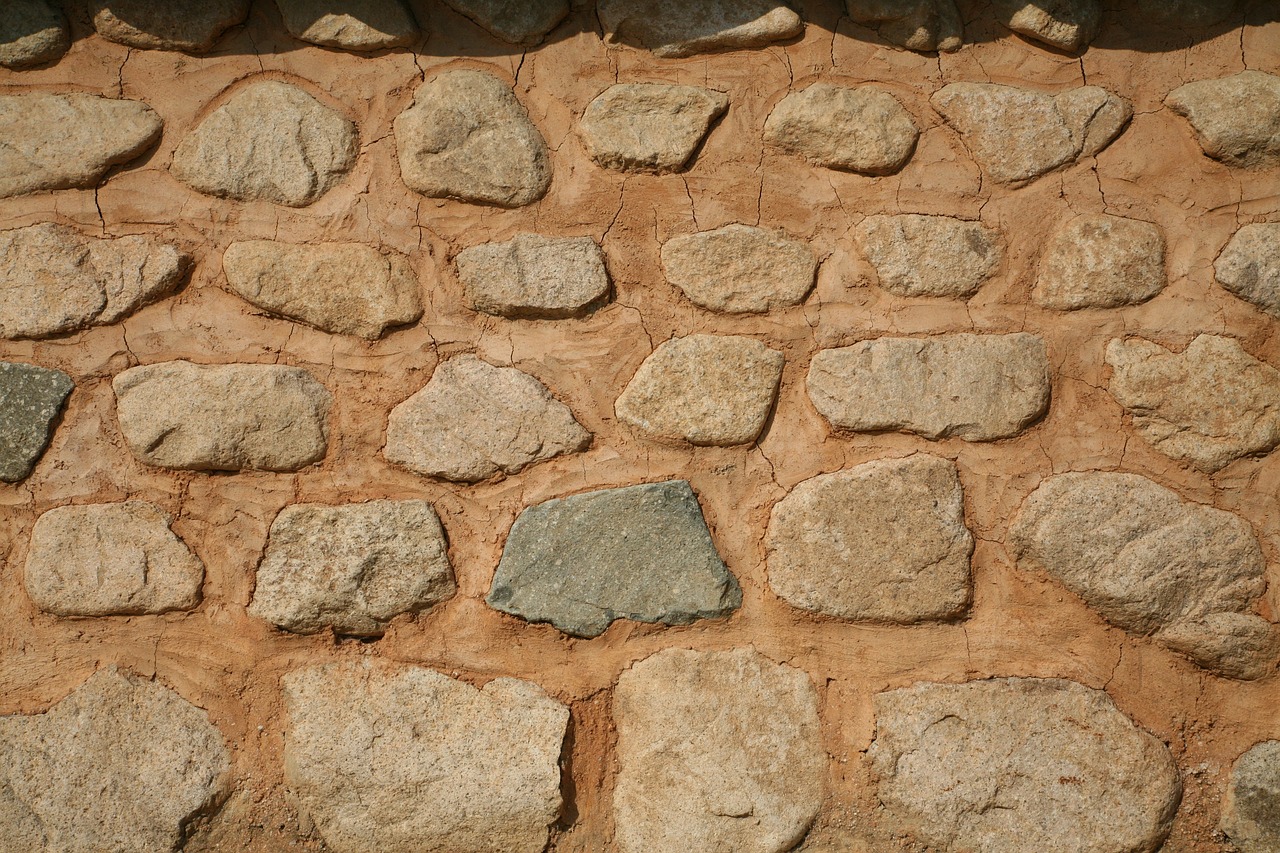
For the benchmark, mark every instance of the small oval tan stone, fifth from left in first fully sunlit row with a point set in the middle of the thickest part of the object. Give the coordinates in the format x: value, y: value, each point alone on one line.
x: 856, y: 130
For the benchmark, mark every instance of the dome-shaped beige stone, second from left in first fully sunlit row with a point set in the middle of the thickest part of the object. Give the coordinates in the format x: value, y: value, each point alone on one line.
x: 271, y: 142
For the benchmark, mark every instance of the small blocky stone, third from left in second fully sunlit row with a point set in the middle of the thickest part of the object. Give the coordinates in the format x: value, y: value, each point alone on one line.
x: 534, y: 277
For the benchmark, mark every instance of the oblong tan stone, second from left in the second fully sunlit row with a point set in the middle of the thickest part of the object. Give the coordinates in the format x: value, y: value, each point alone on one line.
x: 345, y: 289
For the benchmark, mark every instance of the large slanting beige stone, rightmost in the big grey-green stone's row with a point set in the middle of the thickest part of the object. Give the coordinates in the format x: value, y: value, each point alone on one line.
x: 1151, y: 563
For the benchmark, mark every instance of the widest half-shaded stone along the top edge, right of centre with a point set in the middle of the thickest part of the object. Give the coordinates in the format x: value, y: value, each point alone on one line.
x: 675, y: 29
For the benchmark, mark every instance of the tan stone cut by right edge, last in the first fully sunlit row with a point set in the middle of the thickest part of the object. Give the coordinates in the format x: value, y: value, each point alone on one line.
x: 1237, y: 118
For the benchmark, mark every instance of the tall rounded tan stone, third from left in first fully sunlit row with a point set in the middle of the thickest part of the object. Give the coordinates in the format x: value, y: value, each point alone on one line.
x: 468, y: 138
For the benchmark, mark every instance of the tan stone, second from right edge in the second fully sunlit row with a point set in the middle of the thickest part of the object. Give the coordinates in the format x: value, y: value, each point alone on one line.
x: 1101, y: 262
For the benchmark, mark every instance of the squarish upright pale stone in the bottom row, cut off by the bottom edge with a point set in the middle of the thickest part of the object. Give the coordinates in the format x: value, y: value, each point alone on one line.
x: 717, y: 751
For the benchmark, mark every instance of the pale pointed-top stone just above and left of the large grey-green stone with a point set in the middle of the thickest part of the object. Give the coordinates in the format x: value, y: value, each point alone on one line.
x: 474, y: 421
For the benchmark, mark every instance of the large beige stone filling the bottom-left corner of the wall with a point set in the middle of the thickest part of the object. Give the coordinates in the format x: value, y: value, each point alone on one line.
x: 122, y: 764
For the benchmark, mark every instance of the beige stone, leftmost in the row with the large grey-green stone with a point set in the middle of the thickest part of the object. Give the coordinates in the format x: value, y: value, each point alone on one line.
x: 111, y: 560
